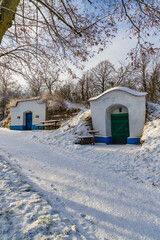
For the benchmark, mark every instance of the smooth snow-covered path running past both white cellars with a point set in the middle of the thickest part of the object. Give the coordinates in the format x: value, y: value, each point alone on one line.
x: 104, y: 204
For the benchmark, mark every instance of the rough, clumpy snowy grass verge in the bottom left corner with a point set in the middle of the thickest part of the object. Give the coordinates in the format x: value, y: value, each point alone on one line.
x: 25, y: 214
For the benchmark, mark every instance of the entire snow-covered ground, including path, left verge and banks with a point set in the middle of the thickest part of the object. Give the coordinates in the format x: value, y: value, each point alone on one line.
x: 99, y: 192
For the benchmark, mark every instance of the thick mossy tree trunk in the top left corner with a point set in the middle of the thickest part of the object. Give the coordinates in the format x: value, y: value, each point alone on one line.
x: 7, y: 11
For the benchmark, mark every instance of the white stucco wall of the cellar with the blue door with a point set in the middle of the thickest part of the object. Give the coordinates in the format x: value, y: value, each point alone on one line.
x: 37, y: 109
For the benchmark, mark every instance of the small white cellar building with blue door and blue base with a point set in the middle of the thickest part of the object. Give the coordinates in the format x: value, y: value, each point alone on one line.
x: 27, y: 113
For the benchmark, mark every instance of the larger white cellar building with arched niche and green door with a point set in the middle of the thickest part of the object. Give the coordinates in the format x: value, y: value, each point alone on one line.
x: 119, y: 115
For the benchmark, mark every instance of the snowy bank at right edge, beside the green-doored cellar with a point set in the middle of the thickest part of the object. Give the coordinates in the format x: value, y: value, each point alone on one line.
x: 147, y: 159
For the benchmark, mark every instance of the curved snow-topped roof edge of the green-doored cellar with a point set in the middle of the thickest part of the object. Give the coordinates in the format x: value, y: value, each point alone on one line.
x: 124, y: 89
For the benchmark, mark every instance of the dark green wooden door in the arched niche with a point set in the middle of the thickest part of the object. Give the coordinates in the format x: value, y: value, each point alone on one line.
x: 120, y: 128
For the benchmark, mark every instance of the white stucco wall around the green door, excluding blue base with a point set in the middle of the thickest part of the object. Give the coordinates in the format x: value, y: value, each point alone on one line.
x: 106, y: 104
